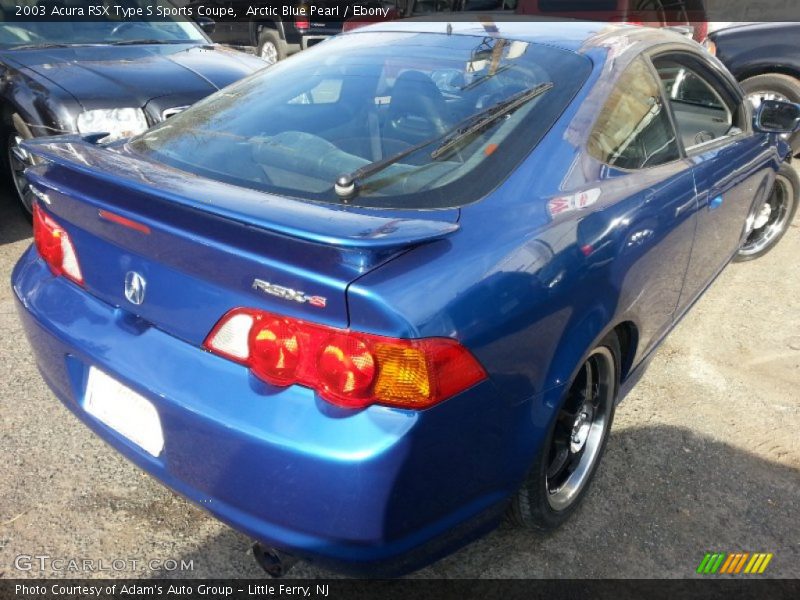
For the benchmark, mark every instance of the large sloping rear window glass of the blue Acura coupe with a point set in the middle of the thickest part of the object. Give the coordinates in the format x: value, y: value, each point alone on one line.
x: 403, y: 101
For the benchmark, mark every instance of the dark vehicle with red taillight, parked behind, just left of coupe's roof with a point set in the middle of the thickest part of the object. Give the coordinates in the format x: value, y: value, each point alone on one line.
x: 275, y: 37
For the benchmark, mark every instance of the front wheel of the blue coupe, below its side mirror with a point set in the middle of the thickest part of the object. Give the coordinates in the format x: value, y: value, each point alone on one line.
x: 778, y: 213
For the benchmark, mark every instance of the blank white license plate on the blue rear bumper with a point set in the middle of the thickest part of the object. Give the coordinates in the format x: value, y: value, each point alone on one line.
x: 123, y: 410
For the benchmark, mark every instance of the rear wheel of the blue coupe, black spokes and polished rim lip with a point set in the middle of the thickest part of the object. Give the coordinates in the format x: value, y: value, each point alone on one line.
x: 541, y: 503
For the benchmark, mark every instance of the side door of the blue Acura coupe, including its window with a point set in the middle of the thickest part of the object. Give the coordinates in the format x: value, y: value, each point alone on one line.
x: 730, y: 164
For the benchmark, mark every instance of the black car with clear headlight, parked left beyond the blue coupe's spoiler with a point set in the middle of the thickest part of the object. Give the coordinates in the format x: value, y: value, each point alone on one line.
x: 118, y: 75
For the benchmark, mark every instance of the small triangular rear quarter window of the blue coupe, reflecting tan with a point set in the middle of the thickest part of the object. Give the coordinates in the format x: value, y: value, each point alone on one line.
x: 633, y: 130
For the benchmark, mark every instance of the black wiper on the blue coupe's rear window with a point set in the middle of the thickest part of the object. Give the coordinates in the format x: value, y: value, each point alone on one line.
x: 347, y: 185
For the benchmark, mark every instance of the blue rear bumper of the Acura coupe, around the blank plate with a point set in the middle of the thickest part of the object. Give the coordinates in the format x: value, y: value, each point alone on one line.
x: 357, y: 490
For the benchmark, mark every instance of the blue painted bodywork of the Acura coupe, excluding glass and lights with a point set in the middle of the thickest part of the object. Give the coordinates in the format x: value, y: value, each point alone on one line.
x: 528, y: 294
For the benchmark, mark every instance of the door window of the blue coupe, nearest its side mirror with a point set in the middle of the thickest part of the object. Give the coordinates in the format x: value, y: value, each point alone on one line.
x: 701, y: 114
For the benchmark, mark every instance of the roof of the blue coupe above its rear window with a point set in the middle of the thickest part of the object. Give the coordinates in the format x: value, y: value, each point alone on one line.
x: 575, y: 36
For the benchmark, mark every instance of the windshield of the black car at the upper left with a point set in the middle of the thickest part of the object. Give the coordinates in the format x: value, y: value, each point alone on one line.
x: 21, y: 29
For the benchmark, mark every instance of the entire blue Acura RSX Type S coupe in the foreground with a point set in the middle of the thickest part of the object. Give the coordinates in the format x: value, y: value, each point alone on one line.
x: 363, y: 303
